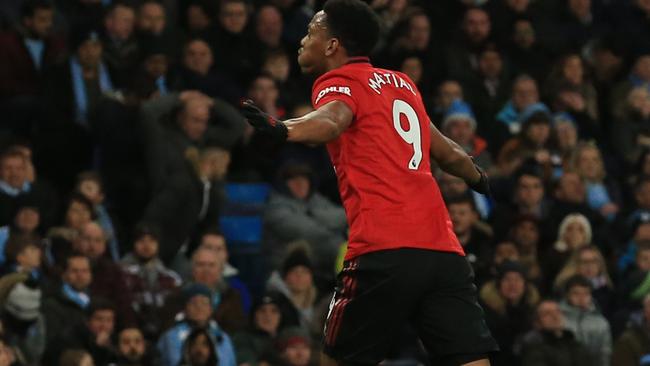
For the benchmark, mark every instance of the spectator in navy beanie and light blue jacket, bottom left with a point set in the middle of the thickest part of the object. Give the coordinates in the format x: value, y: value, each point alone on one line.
x: 197, y: 313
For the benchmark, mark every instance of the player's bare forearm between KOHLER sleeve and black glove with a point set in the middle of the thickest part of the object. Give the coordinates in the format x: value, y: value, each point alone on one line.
x: 322, y: 125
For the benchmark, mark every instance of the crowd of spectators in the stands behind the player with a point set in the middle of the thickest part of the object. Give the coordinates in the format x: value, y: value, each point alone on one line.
x: 119, y: 130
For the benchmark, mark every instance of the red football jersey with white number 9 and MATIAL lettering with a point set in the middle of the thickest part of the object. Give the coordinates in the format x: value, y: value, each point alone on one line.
x: 382, y: 162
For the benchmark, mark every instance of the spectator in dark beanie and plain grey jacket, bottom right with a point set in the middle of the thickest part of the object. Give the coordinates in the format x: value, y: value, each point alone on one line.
x: 586, y: 321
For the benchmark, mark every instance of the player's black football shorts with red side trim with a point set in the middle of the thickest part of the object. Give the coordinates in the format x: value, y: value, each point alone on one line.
x: 378, y: 292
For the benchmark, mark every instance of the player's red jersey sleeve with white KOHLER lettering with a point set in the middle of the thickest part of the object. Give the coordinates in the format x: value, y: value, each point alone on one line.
x: 335, y: 87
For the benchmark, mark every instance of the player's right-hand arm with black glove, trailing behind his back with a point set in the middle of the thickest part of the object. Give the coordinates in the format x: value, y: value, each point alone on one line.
x: 454, y: 160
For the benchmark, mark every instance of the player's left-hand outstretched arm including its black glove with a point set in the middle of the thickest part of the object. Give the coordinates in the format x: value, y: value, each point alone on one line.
x: 317, y: 127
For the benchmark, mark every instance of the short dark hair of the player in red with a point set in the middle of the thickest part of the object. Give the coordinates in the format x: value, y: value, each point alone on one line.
x: 355, y: 25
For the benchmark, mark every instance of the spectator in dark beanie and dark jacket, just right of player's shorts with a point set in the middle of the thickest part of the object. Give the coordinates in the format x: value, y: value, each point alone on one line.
x: 508, y: 302
